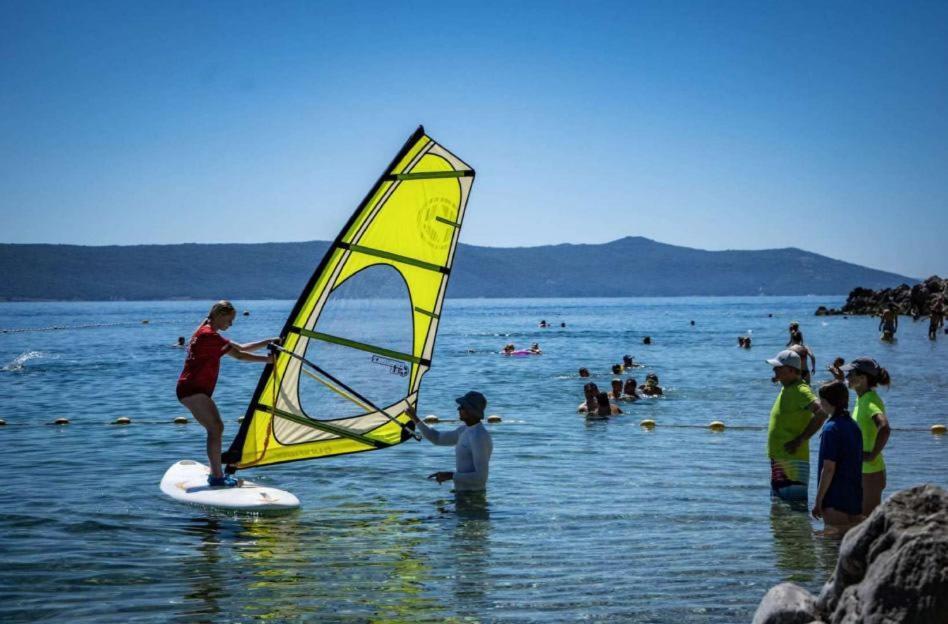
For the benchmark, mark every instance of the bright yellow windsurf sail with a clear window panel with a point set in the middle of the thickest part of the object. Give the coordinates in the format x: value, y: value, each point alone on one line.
x: 361, y: 336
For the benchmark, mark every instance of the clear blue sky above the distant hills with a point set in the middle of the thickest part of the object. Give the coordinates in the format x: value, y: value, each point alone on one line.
x: 716, y: 125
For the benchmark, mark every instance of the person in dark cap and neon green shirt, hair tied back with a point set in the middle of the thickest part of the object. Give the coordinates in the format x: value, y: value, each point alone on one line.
x: 863, y: 375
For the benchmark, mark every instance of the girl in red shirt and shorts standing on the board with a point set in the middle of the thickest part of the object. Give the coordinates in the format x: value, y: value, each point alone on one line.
x: 197, y: 380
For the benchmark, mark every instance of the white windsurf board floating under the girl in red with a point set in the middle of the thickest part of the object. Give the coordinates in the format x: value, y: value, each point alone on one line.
x: 186, y: 482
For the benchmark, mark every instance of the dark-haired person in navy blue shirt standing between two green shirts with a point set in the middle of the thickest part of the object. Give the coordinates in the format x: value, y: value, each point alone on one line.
x: 839, y: 477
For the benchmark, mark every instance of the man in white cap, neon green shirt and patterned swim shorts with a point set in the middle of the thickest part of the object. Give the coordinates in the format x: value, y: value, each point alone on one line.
x: 795, y: 417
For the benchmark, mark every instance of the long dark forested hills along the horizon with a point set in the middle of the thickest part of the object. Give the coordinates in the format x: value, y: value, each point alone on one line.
x: 631, y: 266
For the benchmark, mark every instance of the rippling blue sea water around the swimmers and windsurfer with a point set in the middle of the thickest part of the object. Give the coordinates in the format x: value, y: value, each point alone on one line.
x: 598, y: 521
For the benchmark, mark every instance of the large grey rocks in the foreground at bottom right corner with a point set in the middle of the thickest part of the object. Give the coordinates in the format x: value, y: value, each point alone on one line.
x: 893, y: 567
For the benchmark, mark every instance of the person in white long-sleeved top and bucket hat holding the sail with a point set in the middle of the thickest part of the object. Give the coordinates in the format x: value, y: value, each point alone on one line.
x: 472, y: 443
